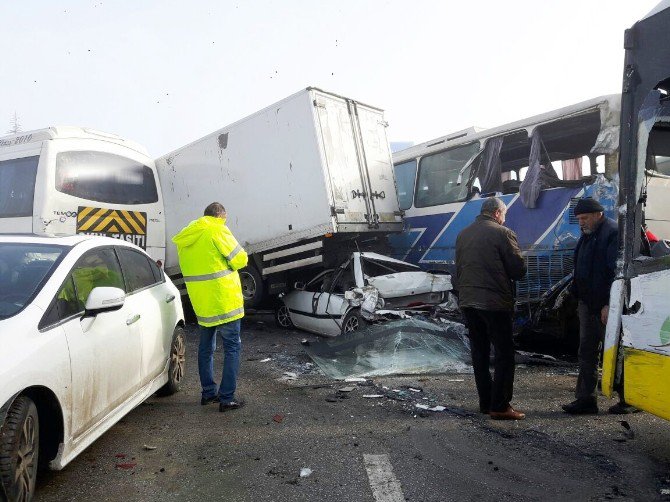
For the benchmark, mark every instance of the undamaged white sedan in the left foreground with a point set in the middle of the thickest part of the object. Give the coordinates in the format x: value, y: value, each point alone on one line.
x: 89, y: 328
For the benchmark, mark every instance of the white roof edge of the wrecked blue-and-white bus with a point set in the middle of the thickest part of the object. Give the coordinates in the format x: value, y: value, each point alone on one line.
x: 609, y: 107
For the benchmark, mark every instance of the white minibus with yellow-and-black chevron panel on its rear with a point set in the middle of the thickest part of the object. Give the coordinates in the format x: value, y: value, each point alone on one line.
x: 73, y: 180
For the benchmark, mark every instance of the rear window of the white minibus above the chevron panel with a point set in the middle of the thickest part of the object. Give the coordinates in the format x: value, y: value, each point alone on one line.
x: 105, y: 177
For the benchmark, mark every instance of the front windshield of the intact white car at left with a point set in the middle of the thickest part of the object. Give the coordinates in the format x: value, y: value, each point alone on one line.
x: 23, y: 270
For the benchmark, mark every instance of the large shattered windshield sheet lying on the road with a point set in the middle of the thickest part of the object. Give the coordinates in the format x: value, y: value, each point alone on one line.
x: 404, y: 347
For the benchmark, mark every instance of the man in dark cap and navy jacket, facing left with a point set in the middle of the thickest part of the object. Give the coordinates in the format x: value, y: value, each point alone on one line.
x: 595, y: 264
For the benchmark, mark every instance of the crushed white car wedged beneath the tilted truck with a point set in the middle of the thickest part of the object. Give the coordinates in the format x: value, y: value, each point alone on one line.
x: 365, y: 287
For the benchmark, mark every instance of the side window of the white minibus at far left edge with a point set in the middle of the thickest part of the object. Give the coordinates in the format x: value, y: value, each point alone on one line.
x: 17, y: 186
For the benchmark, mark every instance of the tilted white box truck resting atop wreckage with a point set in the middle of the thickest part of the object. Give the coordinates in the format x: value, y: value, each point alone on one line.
x: 300, y: 180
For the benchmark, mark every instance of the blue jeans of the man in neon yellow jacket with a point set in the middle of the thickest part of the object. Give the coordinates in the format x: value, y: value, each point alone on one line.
x: 232, y: 345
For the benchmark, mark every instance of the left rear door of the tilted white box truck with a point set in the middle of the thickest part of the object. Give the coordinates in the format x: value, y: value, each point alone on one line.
x: 343, y: 158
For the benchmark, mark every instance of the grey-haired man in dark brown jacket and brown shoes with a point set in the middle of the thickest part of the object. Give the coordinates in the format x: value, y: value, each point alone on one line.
x: 488, y: 259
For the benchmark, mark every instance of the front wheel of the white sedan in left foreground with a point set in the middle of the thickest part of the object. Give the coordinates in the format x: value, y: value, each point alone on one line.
x: 19, y: 448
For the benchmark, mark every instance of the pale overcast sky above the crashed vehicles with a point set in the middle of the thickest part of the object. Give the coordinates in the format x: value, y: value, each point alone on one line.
x: 165, y: 73
